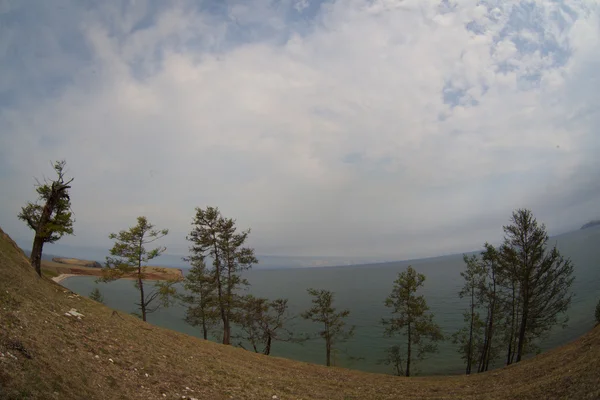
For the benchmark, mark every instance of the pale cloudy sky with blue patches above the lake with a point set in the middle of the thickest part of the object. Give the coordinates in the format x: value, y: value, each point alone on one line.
x: 354, y: 128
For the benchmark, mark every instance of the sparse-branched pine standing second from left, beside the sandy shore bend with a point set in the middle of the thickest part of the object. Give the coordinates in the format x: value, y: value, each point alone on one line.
x: 129, y: 256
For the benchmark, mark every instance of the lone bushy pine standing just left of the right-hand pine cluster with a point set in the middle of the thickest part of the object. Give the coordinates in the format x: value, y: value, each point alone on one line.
x: 410, y: 319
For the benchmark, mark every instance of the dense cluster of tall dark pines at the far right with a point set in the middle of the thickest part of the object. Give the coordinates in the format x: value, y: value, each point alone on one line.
x: 522, y: 289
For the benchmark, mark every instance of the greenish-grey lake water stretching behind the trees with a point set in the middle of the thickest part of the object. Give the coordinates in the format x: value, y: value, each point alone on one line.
x: 362, y: 289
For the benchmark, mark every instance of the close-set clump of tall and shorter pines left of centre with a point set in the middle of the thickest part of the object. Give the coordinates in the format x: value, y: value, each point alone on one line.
x: 215, y: 236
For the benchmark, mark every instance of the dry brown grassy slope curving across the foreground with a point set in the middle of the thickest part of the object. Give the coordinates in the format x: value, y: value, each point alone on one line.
x: 56, y: 359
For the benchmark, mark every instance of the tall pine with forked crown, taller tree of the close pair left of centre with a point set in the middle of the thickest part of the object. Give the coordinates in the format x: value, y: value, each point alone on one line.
x: 215, y: 237
